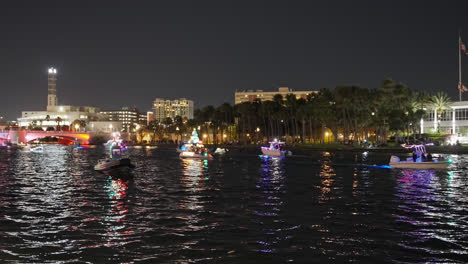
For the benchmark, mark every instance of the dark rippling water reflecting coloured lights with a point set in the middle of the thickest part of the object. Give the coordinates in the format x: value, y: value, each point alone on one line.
x: 235, y: 209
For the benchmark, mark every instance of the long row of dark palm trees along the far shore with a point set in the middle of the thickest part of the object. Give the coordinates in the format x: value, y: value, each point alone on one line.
x: 346, y: 113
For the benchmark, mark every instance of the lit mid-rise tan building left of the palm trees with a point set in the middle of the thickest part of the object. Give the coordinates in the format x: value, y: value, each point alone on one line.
x: 163, y: 109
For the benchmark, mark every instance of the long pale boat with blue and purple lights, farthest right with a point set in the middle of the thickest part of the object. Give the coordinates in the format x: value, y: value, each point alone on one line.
x: 419, y: 160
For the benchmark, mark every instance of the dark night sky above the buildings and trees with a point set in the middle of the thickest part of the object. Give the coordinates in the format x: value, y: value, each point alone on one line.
x: 126, y: 53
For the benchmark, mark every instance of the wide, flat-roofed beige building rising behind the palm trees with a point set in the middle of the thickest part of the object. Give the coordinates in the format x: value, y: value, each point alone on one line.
x: 251, y: 95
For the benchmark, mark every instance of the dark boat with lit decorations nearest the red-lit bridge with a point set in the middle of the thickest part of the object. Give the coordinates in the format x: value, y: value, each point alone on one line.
x: 115, y: 161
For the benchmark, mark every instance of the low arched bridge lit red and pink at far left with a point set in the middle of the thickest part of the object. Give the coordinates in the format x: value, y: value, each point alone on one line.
x: 25, y: 136
